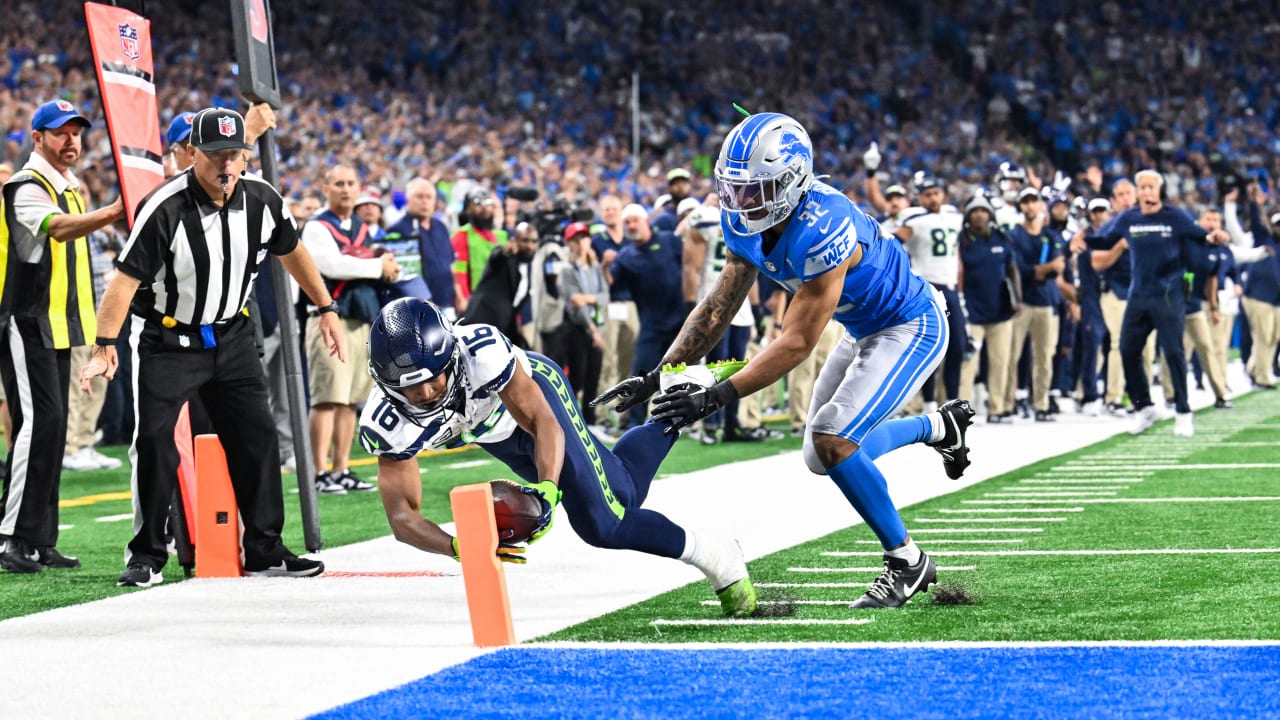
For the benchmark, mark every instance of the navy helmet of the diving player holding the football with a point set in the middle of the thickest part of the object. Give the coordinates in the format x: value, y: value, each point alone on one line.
x: 412, y: 343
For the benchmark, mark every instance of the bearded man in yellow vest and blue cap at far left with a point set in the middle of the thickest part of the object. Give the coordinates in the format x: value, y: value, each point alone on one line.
x: 47, y: 308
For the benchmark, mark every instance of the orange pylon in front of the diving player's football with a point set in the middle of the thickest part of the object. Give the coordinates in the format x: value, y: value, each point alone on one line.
x: 482, y: 571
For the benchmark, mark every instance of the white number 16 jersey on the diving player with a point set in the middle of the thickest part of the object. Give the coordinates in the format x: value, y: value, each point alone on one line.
x: 487, y: 362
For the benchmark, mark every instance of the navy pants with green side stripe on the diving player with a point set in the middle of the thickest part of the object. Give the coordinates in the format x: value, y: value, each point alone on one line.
x: 604, y: 490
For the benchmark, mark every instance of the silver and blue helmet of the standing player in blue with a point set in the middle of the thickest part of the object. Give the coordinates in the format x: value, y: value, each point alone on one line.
x: 765, y: 168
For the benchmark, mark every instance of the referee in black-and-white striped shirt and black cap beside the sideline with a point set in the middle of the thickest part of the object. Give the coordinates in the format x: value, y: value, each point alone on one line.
x: 189, y: 268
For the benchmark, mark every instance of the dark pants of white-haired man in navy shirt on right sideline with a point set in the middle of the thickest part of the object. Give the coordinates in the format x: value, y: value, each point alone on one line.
x: 1168, y: 317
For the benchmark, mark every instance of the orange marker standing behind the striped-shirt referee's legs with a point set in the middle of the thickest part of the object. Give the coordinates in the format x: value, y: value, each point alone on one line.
x: 217, y: 514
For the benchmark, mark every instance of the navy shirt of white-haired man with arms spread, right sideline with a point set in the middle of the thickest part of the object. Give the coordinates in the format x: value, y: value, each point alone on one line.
x: 1160, y: 249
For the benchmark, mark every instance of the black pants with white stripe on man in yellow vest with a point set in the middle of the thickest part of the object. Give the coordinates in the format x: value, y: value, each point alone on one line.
x: 36, y: 381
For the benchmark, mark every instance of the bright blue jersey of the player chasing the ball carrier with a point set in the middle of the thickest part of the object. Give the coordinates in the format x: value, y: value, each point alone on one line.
x: 880, y: 293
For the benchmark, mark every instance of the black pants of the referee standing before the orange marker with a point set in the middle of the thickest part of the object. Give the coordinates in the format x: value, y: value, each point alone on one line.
x: 228, y: 379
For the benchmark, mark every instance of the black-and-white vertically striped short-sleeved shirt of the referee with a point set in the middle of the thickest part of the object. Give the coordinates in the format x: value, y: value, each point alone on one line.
x: 196, y: 263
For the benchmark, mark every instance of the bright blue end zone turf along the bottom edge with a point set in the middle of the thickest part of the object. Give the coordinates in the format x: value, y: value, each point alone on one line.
x: 1057, y: 682
